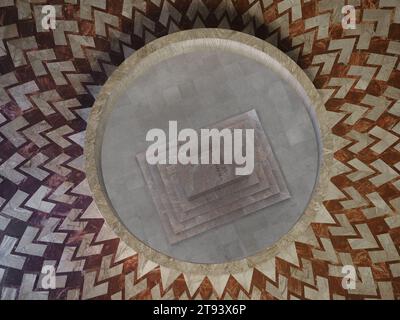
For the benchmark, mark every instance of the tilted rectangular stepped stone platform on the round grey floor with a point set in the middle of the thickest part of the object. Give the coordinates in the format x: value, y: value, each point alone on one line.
x: 191, y: 199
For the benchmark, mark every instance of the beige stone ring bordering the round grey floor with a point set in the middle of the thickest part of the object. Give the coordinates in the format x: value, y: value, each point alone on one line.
x: 179, y: 43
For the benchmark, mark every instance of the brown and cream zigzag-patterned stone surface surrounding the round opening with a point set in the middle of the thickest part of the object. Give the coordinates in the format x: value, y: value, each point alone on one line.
x: 48, y: 84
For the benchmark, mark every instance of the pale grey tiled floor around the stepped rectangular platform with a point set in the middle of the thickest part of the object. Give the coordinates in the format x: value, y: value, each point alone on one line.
x: 198, y: 89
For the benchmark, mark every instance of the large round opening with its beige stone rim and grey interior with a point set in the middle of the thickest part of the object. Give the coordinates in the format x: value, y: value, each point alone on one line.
x: 207, y: 78
